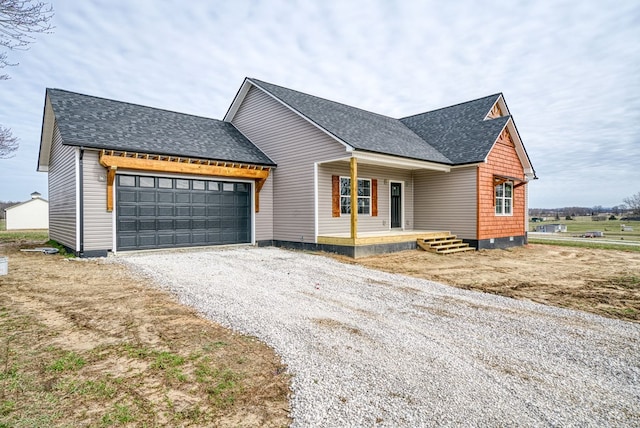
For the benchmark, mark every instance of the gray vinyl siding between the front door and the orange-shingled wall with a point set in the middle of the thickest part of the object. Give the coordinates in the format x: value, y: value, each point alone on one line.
x: 446, y: 201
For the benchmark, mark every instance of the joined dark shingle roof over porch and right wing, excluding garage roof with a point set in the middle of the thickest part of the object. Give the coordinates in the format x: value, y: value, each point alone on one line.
x: 452, y: 135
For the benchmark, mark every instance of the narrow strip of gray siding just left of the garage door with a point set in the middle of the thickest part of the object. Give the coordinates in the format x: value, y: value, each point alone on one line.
x: 98, y: 222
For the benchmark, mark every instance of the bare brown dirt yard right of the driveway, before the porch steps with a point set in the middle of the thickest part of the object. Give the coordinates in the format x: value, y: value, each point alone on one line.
x: 605, y: 282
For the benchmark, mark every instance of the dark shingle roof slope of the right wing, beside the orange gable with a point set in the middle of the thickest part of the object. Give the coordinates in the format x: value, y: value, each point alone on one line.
x: 460, y: 131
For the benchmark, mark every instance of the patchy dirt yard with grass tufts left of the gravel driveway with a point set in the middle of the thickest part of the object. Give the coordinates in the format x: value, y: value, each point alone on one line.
x: 87, y: 343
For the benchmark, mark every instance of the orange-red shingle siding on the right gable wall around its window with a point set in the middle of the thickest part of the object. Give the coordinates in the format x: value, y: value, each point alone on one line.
x: 502, y: 160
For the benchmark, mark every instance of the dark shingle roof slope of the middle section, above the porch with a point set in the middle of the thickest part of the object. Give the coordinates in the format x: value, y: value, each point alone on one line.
x: 358, y: 128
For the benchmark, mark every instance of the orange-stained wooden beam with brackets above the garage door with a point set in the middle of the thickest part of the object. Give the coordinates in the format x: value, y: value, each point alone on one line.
x: 113, y: 160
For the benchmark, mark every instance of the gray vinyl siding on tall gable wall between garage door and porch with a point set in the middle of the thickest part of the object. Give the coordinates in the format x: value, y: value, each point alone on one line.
x: 294, y: 145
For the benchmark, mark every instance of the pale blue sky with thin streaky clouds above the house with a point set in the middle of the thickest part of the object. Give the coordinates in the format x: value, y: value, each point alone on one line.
x: 569, y: 72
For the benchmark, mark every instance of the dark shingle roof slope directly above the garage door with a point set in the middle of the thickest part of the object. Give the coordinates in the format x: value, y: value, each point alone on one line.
x: 107, y: 124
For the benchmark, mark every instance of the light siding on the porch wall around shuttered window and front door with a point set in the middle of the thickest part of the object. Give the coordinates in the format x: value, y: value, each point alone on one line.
x: 329, y: 225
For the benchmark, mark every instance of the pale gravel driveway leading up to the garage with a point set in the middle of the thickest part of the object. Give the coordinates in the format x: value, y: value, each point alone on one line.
x: 367, y: 348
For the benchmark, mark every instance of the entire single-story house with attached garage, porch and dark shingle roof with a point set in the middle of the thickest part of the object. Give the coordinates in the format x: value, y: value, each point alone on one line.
x: 280, y: 169
